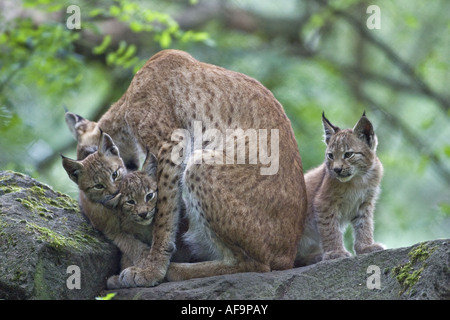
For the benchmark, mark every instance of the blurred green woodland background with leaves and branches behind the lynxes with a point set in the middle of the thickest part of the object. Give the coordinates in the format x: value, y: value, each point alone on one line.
x: 313, y: 55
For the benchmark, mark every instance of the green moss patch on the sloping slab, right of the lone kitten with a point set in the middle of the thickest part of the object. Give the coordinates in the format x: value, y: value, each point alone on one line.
x: 408, y: 274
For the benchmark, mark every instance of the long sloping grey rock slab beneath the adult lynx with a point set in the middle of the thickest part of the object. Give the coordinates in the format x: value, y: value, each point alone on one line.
x: 346, y: 278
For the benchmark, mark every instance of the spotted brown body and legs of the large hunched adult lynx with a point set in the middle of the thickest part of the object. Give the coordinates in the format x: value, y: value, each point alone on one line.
x: 250, y: 221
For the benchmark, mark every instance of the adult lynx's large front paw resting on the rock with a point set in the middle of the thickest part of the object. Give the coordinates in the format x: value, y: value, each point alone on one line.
x: 137, y: 277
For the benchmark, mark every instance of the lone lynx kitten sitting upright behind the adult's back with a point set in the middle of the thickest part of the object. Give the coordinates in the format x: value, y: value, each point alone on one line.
x: 343, y: 189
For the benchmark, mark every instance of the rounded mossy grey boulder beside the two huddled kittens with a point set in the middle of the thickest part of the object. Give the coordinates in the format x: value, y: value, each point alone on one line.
x: 42, y: 233
